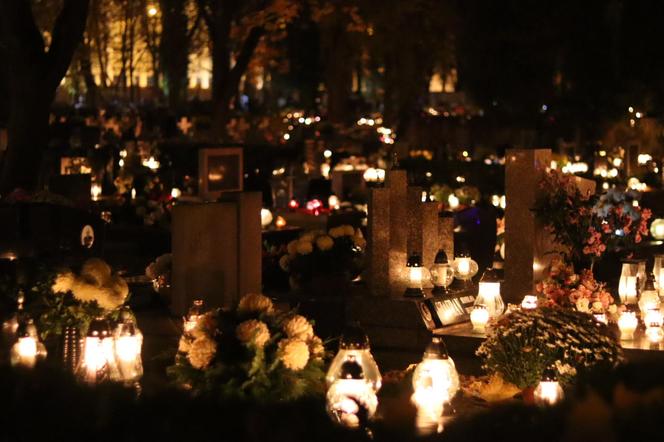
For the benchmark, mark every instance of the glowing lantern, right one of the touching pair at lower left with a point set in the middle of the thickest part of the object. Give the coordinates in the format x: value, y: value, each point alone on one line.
x: 128, y: 345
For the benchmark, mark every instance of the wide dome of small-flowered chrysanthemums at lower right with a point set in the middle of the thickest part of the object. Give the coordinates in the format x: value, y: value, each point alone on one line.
x: 526, y: 342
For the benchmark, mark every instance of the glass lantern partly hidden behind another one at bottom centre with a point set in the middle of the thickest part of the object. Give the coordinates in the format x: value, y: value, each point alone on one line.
x: 354, y: 345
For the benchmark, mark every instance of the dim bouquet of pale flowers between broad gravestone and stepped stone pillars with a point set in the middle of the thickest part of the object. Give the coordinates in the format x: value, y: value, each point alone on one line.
x: 339, y: 252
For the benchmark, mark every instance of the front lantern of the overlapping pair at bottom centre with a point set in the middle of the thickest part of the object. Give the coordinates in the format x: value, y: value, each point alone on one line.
x: 351, y: 396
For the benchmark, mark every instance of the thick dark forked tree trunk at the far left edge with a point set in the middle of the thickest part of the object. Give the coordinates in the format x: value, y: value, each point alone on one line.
x: 34, y: 75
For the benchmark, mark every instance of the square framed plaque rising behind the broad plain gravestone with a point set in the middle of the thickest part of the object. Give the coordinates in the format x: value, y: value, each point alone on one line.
x: 220, y: 170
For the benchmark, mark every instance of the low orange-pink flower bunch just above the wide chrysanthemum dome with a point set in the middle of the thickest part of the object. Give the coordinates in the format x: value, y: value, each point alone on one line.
x: 565, y: 288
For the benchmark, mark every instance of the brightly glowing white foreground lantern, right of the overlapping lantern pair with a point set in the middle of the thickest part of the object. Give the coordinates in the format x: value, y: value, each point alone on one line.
x: 435, y: 382
